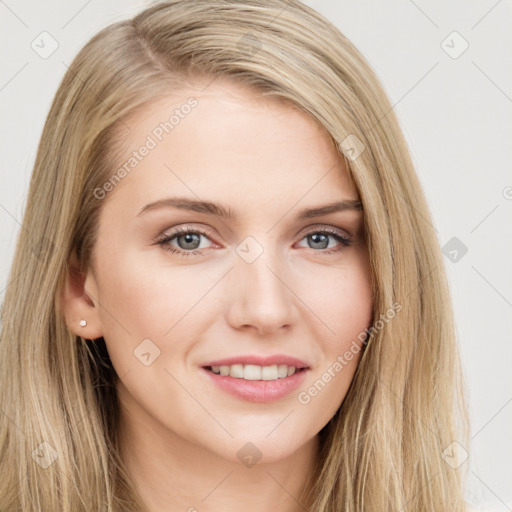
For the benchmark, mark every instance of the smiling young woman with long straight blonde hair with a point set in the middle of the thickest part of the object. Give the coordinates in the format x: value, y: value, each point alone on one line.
x: 301, y: 356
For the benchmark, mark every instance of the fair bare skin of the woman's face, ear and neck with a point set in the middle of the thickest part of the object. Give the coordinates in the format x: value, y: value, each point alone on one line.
x: 266, y: 161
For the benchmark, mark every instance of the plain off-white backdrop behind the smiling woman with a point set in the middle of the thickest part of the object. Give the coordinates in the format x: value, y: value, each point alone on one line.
x: 446, y: 67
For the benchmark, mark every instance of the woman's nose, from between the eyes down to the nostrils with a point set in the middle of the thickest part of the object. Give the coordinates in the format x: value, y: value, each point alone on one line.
x: 262, y: 297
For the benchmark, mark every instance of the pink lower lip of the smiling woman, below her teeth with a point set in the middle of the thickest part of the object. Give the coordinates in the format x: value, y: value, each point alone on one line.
x: 258, y: 390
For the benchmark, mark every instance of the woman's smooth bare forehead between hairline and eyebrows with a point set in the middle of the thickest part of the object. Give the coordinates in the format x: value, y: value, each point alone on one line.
x: 226, y: 141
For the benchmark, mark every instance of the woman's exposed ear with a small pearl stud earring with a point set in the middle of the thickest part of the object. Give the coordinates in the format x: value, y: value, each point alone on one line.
x: 78, y: 301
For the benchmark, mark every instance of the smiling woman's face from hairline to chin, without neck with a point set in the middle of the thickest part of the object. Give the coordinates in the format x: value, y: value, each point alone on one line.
x: 182, y: 289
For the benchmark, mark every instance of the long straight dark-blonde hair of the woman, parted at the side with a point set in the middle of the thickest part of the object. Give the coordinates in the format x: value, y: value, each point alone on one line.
x: 383, y: 449
